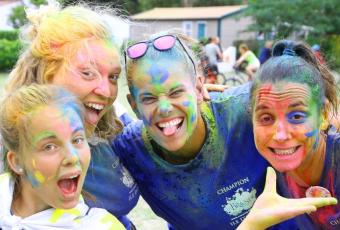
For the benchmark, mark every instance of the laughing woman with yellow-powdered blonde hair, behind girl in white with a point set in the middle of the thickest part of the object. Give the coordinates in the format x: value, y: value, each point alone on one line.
x: 75, y: 48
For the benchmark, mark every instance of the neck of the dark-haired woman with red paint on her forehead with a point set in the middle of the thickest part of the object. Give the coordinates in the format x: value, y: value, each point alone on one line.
x: 310, y: 171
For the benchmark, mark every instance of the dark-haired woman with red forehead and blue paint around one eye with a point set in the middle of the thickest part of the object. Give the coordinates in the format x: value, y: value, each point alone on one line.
x: 293, y: 98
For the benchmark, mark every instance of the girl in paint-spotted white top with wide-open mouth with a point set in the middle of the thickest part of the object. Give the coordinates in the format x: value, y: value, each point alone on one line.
x: 47, y: 160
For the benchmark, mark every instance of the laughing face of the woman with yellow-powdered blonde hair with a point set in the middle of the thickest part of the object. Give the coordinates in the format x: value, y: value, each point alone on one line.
x: 92, y: 77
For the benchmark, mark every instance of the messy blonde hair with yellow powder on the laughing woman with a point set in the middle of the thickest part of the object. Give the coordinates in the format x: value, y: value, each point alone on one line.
x: 52, y: 37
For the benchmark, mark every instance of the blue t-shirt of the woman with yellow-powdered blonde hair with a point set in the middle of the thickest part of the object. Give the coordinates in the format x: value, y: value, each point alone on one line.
x: 110, y: 182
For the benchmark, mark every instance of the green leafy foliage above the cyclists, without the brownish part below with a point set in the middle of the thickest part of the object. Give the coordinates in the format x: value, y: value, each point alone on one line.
x: 287, y: 16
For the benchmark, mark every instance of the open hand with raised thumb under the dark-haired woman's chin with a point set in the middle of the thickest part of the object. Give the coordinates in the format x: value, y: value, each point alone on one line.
x: 270, y: 208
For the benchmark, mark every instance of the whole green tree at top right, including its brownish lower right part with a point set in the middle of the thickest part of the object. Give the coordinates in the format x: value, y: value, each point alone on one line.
x: 284, y: 17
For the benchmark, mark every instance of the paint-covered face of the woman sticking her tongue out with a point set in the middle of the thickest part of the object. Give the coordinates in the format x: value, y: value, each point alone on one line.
x: 165, y: 92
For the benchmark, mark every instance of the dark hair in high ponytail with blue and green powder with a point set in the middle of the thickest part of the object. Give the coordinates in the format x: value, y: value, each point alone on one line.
x: 295, y: 62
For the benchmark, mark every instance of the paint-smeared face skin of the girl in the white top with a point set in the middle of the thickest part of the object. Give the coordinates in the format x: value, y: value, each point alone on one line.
x: 58, y: 148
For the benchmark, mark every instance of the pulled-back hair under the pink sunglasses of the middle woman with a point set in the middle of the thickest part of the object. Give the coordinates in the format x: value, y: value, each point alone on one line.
x: 176, y: 54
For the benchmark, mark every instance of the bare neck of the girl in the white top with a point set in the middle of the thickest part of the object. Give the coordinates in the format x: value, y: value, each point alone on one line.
x: 26, y: 203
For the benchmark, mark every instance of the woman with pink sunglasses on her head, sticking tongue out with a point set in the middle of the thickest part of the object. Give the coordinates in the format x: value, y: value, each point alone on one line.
x: 195, y: 163
